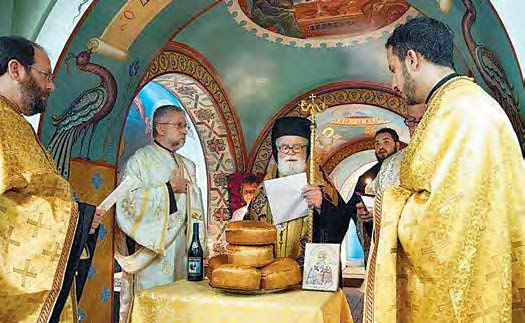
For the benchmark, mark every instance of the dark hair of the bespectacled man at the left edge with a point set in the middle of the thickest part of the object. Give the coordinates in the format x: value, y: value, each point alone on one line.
x: 19, y: 48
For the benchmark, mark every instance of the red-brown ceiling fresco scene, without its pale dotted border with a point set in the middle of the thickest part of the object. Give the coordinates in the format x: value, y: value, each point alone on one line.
x: 321, y: 18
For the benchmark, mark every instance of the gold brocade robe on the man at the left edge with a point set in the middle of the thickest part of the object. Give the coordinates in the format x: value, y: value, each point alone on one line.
x: 38, y: 219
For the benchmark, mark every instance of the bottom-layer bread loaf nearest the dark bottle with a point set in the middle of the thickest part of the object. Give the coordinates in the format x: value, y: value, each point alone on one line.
x: 236, y: 277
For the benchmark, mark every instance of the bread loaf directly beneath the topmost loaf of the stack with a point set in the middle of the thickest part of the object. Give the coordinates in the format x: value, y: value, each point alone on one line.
x: 255, y: 256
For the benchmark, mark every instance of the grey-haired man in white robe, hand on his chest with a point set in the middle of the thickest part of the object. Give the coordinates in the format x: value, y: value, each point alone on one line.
x: 153, y: 217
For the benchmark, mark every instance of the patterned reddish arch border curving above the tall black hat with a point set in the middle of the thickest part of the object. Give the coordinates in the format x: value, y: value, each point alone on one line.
x: 332, y: 95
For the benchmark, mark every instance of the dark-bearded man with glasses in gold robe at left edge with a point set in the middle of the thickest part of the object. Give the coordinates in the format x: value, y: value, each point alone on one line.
x: 43, y: 231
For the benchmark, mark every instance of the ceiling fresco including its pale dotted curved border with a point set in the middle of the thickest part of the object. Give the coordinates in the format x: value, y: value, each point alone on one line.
x: 316, y: 22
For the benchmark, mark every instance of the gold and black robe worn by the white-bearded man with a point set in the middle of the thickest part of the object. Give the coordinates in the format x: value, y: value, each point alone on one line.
x: 291, y: 236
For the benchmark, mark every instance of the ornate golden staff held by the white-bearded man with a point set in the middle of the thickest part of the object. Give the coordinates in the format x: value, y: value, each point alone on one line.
x: 312, y: 108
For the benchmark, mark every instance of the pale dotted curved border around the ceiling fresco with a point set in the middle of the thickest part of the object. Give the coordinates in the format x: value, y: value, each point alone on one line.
x: 240, y: 17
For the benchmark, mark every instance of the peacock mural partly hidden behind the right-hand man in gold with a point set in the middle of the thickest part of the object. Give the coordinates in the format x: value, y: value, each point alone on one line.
x: 493, y: 73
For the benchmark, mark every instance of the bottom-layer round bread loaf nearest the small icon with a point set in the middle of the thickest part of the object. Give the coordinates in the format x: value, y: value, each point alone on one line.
x: 281, y: 273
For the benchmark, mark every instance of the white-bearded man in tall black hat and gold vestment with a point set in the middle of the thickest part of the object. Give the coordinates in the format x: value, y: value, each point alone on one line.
x: 290, y: 147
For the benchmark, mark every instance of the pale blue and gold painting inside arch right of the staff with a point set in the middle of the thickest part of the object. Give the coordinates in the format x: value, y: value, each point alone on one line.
x: 348, y: 122
